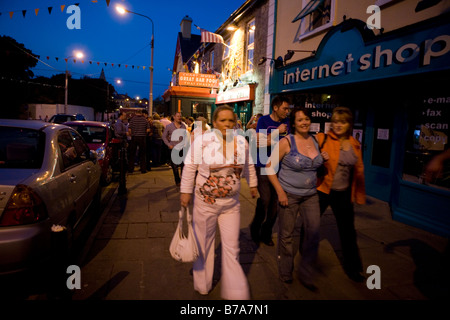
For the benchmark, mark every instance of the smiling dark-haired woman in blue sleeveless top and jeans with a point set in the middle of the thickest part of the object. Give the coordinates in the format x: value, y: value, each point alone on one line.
x: 298, y: 205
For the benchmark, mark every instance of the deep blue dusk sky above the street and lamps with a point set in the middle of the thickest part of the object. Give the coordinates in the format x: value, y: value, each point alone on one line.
x: 105, y: 36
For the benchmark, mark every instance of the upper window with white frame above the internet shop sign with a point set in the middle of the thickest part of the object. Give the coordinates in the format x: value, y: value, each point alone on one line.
x: 315, y: 16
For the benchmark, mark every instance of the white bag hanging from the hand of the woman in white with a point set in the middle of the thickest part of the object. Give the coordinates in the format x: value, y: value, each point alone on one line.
x: 184, y: 248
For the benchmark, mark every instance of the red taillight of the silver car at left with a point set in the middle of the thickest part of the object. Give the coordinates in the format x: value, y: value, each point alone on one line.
x: 24, y: 207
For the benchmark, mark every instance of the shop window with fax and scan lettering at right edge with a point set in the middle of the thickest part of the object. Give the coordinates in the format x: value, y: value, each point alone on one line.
x: 427, y: 137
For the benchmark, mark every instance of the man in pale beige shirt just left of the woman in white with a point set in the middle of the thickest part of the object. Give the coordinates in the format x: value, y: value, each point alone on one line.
x: 175, y: 144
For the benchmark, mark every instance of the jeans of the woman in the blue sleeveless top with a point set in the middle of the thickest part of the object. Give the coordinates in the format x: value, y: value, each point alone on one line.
x: 302, y: 211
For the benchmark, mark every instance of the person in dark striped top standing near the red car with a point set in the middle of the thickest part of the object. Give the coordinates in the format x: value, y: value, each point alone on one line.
x: 138, y: 129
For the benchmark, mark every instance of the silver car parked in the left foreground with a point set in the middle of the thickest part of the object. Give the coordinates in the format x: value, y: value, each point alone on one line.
x: 48, y: 176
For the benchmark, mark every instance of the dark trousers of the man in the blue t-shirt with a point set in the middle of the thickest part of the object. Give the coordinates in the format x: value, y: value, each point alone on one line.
x: 266, y: 208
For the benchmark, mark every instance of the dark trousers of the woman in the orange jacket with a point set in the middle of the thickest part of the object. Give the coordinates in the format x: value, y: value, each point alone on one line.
x: 342, y: 206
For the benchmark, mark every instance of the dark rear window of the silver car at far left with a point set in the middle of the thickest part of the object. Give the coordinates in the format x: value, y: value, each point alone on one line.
x: 21, y: 148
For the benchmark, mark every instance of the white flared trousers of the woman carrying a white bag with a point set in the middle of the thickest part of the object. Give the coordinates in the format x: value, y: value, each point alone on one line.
x: 226, y: 212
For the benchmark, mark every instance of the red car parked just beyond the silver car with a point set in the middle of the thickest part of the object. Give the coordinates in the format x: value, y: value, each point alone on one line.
x: 98, y: 136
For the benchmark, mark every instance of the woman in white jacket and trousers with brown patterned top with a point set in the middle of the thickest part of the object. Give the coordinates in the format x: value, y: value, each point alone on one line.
x: 220, y: 163
